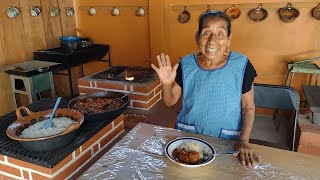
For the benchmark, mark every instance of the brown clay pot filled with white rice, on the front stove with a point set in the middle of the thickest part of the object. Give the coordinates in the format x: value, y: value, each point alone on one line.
x: 29, y: 130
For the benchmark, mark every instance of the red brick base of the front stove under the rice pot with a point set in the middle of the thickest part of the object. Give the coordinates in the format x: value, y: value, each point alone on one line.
x: 11, y: 168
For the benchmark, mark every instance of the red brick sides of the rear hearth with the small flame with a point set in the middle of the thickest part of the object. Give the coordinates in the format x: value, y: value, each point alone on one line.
x: 144, y: 95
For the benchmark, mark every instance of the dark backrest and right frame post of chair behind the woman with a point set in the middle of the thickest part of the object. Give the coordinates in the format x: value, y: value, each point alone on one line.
x: 278, y: 97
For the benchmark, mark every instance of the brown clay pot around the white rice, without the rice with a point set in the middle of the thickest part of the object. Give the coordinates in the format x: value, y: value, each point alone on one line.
x: 44, y: 143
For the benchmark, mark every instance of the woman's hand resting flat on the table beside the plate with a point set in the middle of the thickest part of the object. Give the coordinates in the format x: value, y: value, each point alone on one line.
x: 246, y: 155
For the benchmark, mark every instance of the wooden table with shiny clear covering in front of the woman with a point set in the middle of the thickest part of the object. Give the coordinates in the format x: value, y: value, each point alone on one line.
x: 140, y: 155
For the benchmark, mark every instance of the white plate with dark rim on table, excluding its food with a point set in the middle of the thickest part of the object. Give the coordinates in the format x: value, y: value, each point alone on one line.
x: 176, y: 143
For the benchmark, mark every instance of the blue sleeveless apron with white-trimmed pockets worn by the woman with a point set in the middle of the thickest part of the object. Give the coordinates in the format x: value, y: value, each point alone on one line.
x: 211, y: 103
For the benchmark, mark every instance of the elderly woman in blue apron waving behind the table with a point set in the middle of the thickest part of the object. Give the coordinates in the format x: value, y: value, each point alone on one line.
x: 216, y: 85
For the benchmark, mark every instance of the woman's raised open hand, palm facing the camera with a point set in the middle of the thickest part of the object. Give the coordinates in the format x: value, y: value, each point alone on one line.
x: 166, y: 73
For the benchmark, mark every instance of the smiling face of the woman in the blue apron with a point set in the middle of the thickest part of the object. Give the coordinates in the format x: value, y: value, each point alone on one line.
x: 213, y: 40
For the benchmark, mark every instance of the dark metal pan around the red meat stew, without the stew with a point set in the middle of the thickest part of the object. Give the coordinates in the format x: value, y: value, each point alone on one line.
x: 103, y: 115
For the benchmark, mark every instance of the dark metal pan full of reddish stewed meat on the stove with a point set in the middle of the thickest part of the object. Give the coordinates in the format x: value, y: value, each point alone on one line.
x: 100, y: 106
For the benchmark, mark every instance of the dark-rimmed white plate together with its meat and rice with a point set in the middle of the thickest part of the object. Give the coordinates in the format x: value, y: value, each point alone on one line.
x: 190, y: 152
